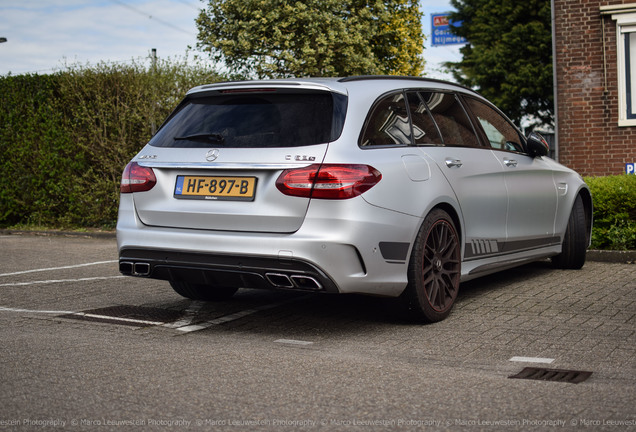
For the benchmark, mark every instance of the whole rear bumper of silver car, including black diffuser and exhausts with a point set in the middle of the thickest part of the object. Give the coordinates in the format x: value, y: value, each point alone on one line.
x: 335, y: 250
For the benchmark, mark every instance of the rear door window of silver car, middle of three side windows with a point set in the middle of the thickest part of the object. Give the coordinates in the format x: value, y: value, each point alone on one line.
x: 452, y: 120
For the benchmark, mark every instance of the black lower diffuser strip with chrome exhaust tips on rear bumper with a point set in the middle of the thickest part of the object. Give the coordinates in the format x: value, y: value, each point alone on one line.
x: 224, y: 270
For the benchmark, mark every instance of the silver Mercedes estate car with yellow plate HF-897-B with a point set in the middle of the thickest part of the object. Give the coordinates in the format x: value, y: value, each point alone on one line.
x: 378, y: 185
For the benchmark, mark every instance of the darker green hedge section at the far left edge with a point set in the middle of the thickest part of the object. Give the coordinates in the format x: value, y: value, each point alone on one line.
x: 32, y: 138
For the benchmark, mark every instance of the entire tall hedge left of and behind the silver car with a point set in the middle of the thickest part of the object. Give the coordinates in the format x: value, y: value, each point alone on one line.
x: 65, y: 138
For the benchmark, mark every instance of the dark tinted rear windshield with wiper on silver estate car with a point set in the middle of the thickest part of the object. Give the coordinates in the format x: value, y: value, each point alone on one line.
x: 267, y: 118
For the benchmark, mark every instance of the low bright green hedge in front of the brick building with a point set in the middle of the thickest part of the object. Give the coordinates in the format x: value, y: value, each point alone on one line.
x: 614, y: 212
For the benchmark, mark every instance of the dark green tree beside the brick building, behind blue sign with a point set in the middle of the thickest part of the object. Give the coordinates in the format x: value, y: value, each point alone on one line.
x: 508, y: 57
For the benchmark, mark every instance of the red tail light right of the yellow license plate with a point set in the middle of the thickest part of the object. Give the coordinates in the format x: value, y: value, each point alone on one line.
x: 328, y: 181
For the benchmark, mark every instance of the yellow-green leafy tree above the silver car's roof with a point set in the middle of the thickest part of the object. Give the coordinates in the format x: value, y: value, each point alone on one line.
x: 283, y: 38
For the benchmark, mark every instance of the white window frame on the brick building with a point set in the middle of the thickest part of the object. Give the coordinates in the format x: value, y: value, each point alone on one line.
x: 626, y: 63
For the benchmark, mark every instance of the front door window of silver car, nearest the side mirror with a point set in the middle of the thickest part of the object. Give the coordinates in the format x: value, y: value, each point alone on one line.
x: 500, y: 133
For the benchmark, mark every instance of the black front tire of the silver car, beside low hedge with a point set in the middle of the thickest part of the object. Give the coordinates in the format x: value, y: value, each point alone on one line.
x: 575, y: 241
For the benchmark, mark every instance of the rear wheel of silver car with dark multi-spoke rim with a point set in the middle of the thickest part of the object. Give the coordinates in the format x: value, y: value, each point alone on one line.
x: 434, y: 269
